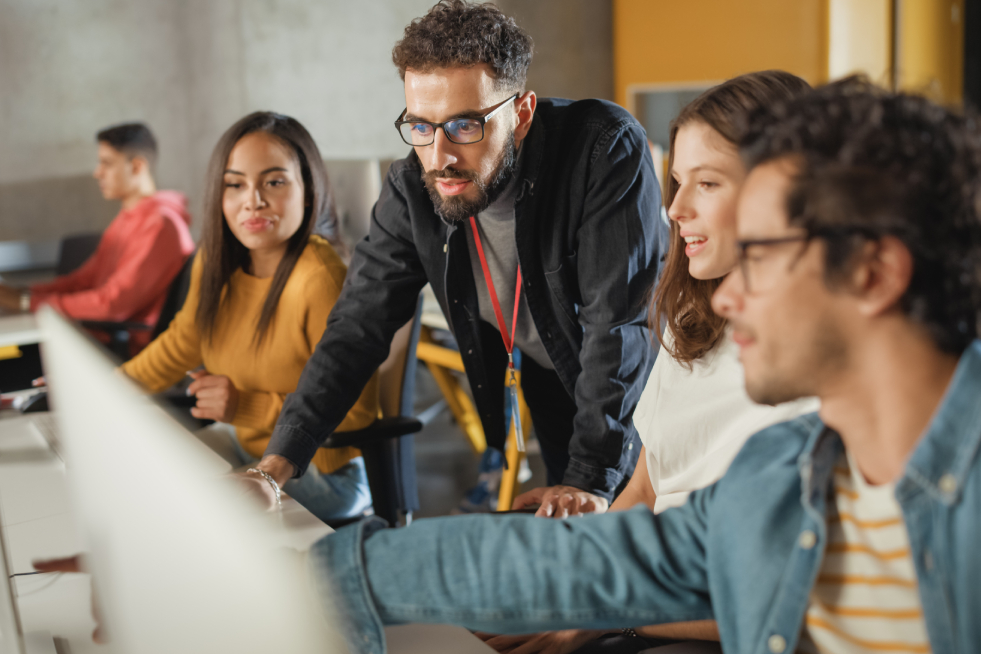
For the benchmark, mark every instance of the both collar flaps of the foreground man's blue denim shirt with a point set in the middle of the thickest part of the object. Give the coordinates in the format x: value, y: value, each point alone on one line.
x: 940, y: 462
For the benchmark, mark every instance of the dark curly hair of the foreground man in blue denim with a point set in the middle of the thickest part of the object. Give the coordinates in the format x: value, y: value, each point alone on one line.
x: 871, y: 164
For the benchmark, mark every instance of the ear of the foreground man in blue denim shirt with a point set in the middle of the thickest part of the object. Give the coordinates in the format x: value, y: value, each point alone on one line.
x: 883, y: 272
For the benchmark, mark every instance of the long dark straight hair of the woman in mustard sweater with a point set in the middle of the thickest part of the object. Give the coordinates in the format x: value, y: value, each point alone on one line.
x: 223, y: 254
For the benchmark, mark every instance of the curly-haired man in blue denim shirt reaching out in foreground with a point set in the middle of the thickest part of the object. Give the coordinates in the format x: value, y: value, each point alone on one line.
x: 860, y: 283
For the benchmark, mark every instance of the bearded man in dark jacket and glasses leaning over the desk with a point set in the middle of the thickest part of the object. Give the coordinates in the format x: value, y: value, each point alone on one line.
x: 565, y: 189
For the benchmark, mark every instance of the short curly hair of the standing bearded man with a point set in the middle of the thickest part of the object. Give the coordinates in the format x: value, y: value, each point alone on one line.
x: 456, y: 33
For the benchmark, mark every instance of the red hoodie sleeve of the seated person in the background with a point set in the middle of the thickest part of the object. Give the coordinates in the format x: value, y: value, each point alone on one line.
x: 144, y: 271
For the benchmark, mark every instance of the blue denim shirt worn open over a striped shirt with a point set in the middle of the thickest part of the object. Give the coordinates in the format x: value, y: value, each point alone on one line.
x: 734, y: 552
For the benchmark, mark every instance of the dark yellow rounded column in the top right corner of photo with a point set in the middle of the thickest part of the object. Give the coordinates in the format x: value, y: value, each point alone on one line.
x: 931, y: 47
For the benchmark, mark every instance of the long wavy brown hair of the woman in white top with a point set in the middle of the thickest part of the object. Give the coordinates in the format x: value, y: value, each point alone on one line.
x: 681, y: 302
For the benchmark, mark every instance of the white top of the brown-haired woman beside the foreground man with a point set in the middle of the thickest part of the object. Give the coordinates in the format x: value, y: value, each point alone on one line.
x: 694, y: 422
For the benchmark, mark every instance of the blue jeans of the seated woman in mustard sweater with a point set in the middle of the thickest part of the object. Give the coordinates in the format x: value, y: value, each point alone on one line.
x: 338, y: 495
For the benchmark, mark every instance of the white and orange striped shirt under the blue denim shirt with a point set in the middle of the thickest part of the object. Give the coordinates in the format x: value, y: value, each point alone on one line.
x: 866, y: 598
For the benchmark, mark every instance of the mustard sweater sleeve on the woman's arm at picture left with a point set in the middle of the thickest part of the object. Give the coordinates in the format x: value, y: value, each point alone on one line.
x: 166, y: 360
